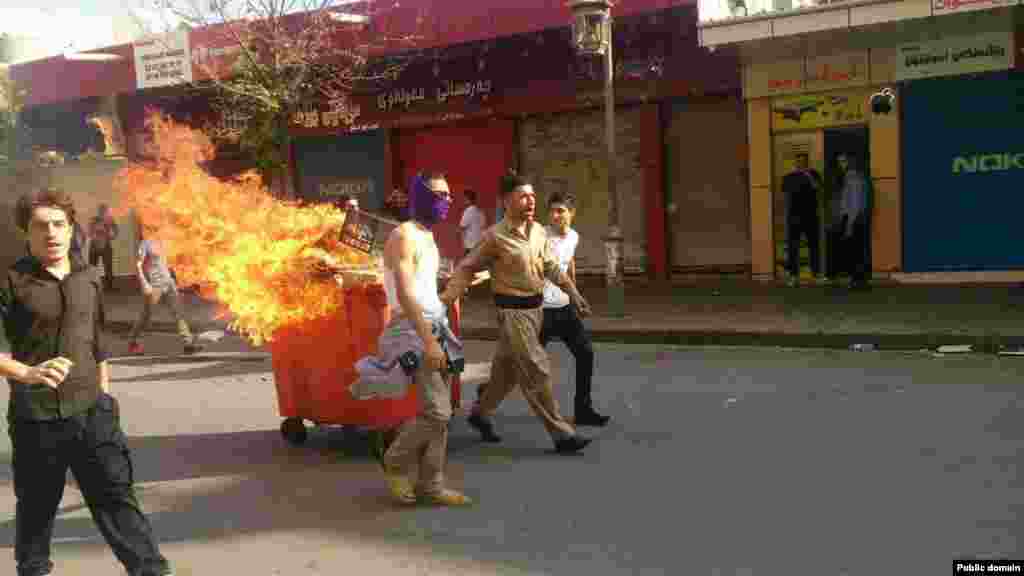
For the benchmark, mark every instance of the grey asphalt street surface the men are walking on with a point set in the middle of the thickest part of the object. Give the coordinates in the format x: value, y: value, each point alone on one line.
x: 747, y: 462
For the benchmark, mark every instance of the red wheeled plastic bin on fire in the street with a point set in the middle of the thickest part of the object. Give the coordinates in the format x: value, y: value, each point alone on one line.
x: 314, y: 366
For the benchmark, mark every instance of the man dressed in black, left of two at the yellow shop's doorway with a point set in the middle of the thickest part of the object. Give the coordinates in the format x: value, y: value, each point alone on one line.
x: 801, y: 190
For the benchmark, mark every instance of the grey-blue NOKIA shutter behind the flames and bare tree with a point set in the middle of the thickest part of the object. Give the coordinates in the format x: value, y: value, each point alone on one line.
x: 328, y: 168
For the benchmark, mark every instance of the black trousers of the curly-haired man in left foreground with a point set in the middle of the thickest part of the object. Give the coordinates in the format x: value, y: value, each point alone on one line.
x: 95, y: 447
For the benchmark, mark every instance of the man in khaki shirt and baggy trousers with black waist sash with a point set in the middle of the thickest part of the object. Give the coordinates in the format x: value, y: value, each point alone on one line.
x: 517, y: 253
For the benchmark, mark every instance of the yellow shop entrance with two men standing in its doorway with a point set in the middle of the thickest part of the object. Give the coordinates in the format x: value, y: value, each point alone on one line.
x: 820, y: 106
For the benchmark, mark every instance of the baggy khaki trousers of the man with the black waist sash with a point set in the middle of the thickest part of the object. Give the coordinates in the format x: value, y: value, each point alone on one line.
x: 521, y: 360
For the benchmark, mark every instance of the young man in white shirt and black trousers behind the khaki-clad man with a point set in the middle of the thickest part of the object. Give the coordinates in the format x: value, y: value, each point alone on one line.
x: 561, y: 318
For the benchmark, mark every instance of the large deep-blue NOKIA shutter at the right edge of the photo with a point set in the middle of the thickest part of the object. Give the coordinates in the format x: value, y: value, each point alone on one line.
x: 964, y: 163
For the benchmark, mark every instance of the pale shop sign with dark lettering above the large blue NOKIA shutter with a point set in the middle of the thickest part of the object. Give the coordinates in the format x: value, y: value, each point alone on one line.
x: 952, y: 57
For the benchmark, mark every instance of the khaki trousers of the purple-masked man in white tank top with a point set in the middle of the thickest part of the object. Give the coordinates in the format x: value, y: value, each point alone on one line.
x: 423, y: 441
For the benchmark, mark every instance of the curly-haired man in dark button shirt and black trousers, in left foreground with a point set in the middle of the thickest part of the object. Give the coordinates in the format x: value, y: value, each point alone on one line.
x: 62, y: 415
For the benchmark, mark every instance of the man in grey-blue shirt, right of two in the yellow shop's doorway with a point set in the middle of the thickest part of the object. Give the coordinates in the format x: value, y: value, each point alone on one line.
x: 854, y: 221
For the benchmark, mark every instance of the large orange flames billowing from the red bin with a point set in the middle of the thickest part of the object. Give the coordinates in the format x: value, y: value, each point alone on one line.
x: 253, y: 254
